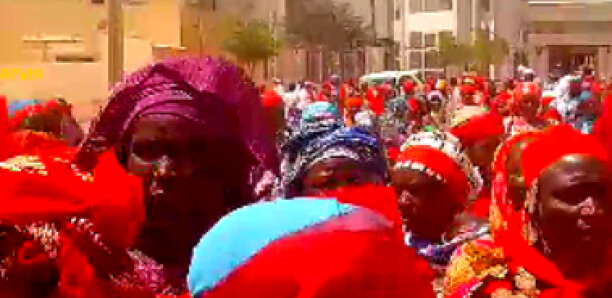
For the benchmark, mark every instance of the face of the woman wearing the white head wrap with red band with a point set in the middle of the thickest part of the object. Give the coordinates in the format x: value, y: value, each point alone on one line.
x: 426, y: 204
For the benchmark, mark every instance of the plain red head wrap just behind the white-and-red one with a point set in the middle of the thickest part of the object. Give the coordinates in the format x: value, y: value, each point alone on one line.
x: 479, y: 128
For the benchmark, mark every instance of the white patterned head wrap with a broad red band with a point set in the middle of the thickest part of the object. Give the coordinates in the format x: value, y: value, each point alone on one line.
x: 440, y: 155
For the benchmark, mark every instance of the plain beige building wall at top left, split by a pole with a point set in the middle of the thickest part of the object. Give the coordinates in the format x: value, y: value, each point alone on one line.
x: 84, y: 84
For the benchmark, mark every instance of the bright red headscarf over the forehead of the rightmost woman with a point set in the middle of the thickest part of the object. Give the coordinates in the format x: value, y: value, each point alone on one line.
x: 557, y: 142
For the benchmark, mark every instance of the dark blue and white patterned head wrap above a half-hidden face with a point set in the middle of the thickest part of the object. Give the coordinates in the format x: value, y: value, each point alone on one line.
x: 352, y: 143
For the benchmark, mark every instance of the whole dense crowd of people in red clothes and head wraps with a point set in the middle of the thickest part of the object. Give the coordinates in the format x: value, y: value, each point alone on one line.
x: 194, y: 182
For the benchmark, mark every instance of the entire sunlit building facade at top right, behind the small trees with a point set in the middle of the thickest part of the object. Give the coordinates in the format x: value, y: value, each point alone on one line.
x: 547, y: 35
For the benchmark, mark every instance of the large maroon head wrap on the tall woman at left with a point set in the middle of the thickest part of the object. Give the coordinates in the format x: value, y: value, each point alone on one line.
x: 214, y: 94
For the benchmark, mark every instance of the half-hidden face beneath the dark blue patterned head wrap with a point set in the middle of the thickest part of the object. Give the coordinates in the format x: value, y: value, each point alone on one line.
x: 334, y: 173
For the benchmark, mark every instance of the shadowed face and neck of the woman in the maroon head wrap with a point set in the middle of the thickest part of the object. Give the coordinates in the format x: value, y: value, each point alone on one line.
x: 184, y: 173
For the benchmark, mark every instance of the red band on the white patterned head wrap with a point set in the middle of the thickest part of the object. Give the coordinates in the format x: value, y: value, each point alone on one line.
x: 441, y: 164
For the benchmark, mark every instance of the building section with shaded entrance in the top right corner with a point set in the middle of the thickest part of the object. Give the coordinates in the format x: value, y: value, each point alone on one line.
x: 566, y: 35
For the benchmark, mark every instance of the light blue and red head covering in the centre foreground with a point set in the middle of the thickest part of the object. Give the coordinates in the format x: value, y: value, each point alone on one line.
x: 309, y: 248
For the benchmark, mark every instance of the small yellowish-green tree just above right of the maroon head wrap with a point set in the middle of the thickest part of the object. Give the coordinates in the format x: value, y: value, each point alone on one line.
x: 251, y: 43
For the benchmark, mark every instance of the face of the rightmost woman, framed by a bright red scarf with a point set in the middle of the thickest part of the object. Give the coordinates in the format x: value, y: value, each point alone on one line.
x: 574, y: 212
